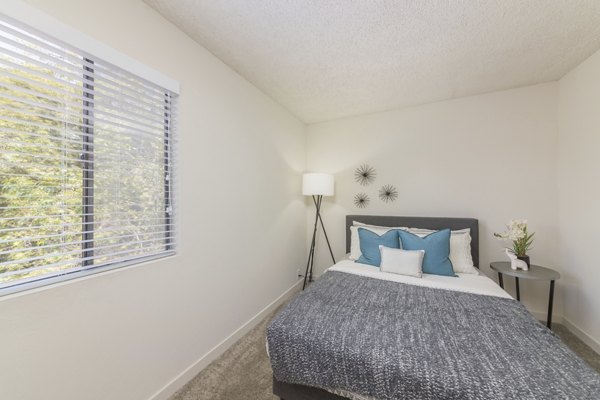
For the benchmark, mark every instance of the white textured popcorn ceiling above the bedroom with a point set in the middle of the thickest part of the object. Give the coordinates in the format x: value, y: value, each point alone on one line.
x: 325, y: 59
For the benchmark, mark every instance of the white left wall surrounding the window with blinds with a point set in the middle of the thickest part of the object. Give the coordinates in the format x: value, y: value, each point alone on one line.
x: 124, y: 335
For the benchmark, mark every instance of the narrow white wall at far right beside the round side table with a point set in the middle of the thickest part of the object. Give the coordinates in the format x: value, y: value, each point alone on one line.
x: 579, y: 195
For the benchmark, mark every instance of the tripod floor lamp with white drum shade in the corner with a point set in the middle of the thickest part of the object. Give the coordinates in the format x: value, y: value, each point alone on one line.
x: 316, y: 185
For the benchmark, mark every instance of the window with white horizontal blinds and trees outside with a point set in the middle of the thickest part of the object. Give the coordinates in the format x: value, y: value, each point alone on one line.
x: 86, y: 162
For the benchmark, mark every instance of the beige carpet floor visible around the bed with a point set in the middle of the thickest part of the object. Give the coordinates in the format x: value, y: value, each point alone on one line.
x: 243, y: 372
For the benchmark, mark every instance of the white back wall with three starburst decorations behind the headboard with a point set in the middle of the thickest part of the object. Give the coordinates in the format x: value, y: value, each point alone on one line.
x: 491, y: 157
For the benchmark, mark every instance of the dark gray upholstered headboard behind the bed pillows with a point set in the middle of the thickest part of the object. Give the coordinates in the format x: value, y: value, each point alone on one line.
x: 434, y: 223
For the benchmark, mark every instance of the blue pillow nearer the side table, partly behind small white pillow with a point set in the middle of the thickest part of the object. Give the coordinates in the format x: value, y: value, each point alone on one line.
x: 437, y: 251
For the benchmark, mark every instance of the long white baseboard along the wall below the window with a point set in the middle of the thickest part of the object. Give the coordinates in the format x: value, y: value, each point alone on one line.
x: 170, y: 388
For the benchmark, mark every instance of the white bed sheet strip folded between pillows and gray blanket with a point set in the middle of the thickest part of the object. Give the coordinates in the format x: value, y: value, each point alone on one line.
x: 468, y: 283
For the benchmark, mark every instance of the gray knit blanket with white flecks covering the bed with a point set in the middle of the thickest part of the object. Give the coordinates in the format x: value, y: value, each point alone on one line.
x: 387, y: 340
